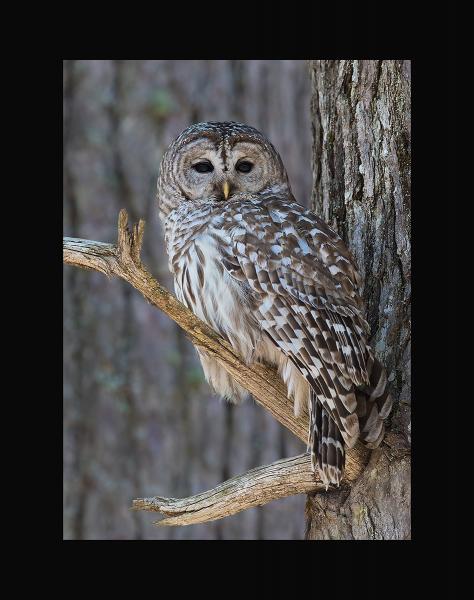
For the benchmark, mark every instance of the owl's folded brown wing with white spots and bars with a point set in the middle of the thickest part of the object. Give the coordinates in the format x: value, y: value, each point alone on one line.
x: 305, y: 285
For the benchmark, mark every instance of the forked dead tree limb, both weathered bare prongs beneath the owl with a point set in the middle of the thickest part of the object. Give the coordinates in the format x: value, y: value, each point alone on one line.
x: 280, y: 479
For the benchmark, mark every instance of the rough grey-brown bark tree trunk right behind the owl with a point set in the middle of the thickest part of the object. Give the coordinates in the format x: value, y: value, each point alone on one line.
x: 361, y: 188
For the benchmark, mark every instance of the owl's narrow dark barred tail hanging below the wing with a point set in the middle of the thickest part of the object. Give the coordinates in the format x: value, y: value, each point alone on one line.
x: 326, y: 444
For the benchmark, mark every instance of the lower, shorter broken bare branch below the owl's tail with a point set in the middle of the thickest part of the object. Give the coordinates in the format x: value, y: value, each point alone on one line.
x: 259, y: 486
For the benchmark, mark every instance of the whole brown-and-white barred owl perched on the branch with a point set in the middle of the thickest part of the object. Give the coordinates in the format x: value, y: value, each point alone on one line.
x: 275, y: 281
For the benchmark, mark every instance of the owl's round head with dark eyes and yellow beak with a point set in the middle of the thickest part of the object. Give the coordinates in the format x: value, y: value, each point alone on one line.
x: 217, y: 162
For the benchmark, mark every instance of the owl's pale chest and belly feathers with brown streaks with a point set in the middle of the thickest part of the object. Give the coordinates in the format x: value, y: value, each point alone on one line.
x: 195, y: 240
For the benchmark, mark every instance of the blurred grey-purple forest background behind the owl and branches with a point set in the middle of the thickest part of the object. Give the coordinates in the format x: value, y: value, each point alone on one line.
x: 139, y: 418
